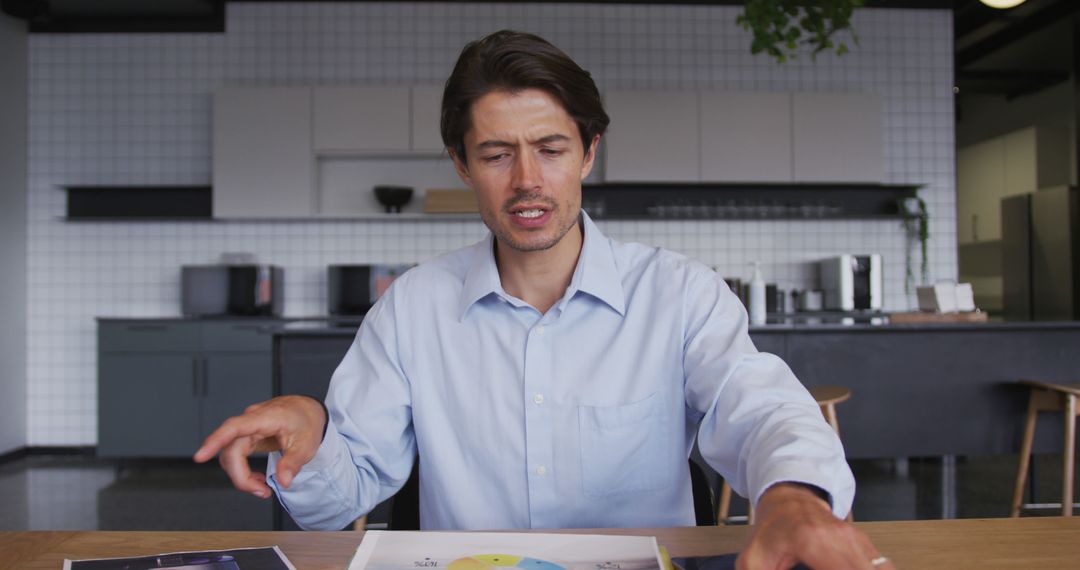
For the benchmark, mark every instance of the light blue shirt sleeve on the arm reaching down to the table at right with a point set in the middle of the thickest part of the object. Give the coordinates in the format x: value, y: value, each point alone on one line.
x: 759, y: 425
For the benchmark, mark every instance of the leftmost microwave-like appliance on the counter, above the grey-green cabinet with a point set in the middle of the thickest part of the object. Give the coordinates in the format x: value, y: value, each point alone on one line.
x: 233, y: 291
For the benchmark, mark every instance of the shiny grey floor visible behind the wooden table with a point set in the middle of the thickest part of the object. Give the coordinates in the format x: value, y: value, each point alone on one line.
x: 82, y: 493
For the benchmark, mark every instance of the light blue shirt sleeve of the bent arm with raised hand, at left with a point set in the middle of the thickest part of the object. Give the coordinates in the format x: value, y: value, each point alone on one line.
x: 369, y: 451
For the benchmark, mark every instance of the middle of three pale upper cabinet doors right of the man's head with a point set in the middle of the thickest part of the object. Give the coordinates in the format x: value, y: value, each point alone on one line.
x: 746, y: 138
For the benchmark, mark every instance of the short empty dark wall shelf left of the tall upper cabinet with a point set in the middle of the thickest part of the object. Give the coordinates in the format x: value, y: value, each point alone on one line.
x: 114, y: 203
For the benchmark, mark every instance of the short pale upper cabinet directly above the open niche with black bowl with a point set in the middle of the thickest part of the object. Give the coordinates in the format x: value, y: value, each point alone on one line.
x: 361, y: 119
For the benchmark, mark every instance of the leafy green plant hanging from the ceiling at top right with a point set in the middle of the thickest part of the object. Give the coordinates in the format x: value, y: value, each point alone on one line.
x: 780, y: 26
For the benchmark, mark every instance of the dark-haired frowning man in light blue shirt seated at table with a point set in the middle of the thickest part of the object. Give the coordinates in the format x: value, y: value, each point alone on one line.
x: 548, y: 376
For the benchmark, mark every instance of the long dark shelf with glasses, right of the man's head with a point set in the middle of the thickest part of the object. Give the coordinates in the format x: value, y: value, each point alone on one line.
x: 746, y: 201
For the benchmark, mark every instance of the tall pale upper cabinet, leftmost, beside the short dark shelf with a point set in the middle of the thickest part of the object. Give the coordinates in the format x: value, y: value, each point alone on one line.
x: 263, y: 160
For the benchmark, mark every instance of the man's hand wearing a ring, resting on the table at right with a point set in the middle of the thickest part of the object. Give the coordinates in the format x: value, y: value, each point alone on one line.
x: 793, y: 525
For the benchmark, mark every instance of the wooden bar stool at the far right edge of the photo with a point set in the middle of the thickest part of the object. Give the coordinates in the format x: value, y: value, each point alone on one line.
x: 1049, y: 397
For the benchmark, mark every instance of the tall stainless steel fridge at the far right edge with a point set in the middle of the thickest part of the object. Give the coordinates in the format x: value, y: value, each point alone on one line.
x: 1041, y: 254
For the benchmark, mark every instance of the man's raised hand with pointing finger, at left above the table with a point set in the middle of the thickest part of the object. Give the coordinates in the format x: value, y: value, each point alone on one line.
x: 291, y: 425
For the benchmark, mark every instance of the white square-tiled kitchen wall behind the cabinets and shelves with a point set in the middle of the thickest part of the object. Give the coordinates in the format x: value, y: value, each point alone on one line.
x: 137, y: 110
